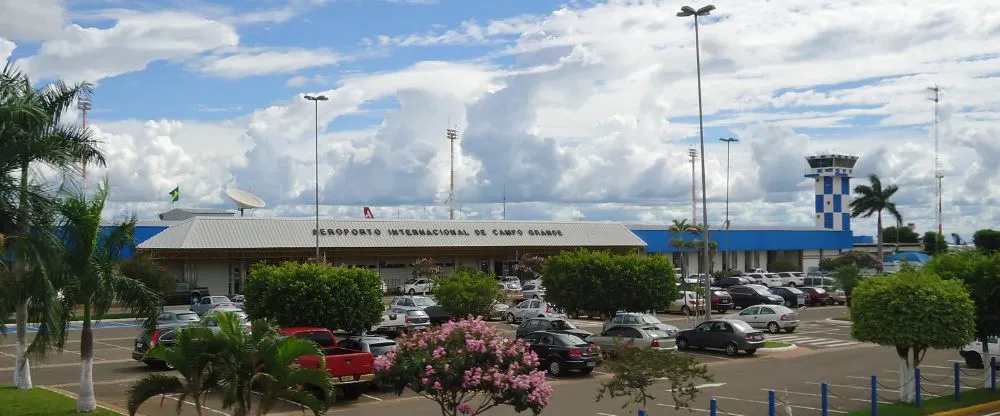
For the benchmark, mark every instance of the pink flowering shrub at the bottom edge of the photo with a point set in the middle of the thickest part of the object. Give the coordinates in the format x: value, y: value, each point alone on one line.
x: 467, y: 368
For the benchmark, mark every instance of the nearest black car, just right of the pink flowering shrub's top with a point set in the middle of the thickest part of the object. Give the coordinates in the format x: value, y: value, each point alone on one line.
x: 560, y: 352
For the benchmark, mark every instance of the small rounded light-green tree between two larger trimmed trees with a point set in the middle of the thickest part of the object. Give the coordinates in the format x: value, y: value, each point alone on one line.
x: 467, y: 292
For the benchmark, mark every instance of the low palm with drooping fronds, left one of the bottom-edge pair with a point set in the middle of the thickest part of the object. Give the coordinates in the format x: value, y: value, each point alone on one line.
x: 193, y: 354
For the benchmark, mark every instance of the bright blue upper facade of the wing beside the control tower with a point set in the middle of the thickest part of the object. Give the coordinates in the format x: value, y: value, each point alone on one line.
x: 658, y: 241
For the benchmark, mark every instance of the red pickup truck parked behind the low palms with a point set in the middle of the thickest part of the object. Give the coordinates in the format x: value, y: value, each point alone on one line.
x: 352, y: 370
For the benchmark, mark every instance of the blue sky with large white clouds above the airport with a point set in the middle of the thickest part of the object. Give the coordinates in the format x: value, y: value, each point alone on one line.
x: 566, y: 110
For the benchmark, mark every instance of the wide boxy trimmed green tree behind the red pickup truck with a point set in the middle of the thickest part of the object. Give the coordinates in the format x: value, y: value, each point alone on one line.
x: 319, y: 295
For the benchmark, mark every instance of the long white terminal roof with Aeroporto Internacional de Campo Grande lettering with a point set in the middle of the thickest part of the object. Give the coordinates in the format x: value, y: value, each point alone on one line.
x: 261, y: 233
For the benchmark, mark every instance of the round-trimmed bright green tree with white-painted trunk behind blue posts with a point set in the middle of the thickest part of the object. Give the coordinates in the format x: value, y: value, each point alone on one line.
x: 885, y: 308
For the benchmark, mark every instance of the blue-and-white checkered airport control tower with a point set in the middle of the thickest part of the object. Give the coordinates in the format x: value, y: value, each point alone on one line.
x: 832, y: 174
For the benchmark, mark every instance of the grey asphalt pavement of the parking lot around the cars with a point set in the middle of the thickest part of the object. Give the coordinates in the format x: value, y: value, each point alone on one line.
x: 826, y: 353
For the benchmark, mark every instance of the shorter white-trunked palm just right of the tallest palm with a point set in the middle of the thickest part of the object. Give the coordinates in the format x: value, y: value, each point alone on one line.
x: 92, y: 279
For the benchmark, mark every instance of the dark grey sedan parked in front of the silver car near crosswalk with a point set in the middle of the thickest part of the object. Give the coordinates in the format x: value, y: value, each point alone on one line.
x: 730, y: 335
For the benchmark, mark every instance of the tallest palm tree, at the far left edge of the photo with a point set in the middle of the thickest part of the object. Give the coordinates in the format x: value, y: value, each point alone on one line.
x: 31, y: 133
